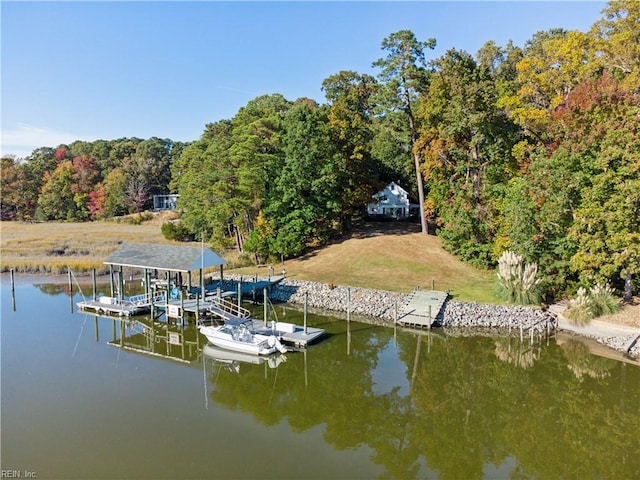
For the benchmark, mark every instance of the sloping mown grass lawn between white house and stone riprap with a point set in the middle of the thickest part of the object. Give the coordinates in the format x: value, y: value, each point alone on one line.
x: 389, y: 257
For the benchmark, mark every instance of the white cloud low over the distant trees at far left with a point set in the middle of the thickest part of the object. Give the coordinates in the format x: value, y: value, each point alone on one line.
x: 22, y: 139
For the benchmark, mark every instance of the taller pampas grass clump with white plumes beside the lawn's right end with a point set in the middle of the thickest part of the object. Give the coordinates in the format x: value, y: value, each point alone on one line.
x: 517, y: 283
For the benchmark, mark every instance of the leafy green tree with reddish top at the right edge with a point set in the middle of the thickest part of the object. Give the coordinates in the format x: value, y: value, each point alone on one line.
x: 598, y: 123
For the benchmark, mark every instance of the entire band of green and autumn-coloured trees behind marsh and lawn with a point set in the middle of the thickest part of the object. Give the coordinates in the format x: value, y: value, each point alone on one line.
x: 532, y: 149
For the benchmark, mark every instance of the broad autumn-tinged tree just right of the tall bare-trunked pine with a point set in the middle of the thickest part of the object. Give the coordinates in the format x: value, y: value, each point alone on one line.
x: 466, y: 143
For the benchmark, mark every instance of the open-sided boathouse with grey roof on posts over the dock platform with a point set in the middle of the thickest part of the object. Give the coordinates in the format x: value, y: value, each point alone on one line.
x: 168, y: 280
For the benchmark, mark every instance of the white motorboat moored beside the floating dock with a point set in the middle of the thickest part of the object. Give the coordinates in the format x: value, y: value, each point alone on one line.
x: 236, y: 334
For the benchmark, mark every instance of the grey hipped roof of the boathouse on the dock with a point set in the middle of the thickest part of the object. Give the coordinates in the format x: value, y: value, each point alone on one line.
x: 164, y: 257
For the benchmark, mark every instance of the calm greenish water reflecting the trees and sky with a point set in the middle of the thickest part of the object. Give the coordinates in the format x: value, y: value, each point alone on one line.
x: 86, y: 397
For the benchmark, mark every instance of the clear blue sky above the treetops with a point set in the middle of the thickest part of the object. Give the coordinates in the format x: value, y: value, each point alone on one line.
x: 106, y: 70
